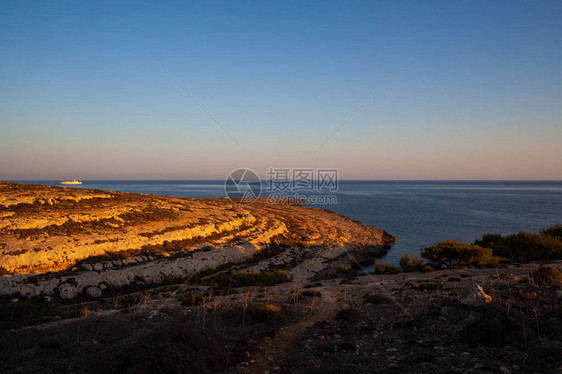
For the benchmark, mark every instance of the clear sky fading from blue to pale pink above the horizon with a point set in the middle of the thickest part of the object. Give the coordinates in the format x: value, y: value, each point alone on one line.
x: 195, y: 89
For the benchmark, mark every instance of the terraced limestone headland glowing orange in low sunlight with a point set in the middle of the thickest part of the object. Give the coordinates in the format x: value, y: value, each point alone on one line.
x: 52, y: 236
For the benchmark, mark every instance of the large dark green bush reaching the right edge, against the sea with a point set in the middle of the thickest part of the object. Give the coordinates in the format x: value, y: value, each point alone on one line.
x: 526, y: 246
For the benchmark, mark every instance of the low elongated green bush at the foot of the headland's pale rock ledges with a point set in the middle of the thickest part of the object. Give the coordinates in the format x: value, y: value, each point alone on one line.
x: 250, y: 278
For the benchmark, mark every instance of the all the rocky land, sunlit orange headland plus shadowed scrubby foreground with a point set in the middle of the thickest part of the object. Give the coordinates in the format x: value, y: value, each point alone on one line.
x: 207, y: 286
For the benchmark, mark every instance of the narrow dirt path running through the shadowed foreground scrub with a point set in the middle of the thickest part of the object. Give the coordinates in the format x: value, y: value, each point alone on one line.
x: 274, y: 350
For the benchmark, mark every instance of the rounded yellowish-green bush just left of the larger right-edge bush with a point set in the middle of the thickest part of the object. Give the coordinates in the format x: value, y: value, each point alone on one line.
x: 454, y: 254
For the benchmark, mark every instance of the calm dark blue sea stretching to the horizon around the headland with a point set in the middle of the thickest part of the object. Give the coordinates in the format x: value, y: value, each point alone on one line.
x: 417, y: 213
